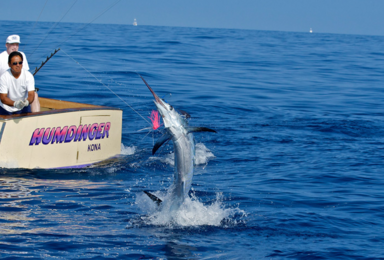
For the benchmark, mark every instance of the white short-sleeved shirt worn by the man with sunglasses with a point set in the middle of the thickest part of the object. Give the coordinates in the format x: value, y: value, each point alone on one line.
x: 17, y: 89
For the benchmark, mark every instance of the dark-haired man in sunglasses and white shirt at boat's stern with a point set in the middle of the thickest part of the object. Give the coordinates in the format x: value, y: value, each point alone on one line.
x: 17, y: 87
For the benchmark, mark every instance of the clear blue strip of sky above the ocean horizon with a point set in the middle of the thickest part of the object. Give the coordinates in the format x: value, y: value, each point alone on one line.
x: 324, y: 16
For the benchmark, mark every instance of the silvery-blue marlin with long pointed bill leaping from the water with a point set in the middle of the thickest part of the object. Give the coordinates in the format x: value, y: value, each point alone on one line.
x: 177, y: 130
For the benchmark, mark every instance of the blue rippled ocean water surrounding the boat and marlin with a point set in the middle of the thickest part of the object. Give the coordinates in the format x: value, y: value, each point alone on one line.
x: 294, y: 172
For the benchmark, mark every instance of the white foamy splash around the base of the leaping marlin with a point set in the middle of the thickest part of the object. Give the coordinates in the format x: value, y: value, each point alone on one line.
x: 191, y: 213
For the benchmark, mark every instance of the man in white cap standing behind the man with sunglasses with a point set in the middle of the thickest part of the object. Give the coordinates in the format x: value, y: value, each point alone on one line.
x: 12, y: 45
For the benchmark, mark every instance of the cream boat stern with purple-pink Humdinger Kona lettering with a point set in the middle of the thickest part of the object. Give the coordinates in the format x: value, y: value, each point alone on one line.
x: 63, y: 135
